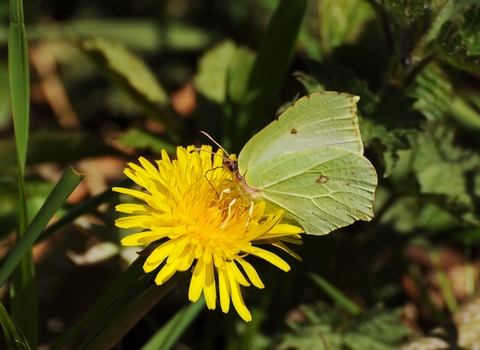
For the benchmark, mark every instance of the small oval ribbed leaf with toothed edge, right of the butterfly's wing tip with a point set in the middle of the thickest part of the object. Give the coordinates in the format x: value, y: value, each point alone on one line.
x: 433, y: 92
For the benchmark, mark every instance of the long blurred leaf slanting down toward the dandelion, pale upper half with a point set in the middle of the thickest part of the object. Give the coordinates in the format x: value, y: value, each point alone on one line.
x: 130, y: 74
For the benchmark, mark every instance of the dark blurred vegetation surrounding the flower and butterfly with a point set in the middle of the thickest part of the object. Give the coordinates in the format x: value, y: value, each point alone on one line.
x: 112, y: 80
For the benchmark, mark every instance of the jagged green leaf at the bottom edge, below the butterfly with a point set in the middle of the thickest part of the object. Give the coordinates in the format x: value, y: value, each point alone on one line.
x: 324, y: 327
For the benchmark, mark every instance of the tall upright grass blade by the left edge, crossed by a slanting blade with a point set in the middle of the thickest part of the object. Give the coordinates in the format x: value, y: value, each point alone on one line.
x: 23, y: 304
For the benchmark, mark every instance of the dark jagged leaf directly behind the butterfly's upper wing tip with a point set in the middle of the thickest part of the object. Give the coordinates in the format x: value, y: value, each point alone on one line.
x: 386, y: 119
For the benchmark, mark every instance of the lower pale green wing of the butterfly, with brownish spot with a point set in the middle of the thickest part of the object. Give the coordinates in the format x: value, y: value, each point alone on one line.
x: 321, y: 189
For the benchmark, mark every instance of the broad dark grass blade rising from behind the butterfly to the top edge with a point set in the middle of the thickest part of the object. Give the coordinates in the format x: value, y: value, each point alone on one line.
x: 270, y: 69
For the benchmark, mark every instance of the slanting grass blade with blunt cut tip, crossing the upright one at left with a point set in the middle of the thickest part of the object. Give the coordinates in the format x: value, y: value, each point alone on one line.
x: 68, y: 182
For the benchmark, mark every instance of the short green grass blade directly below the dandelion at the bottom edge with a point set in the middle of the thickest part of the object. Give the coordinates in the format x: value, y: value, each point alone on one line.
x: 166, y: 337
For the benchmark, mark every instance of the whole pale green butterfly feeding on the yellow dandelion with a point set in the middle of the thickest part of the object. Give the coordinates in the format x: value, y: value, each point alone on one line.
x: 310, y: 163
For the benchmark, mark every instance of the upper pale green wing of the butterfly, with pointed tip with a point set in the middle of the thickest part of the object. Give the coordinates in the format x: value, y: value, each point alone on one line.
x: 320, y: 120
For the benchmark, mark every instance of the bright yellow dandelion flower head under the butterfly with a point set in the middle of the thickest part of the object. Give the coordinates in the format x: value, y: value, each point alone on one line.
x: 191, y: 207
